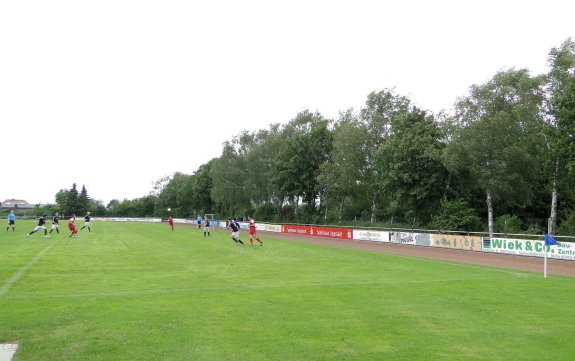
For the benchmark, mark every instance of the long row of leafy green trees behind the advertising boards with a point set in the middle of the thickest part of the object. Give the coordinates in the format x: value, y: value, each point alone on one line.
x: 502, y: 160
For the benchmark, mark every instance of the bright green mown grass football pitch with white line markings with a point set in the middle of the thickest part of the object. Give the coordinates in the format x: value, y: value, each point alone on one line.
x: 132, y: 291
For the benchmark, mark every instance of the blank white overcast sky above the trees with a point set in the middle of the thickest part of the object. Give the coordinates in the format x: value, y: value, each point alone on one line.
x: 115, y: 94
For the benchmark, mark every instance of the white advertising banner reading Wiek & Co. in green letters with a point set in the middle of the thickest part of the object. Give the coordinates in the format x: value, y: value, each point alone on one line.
x: 524, y: 247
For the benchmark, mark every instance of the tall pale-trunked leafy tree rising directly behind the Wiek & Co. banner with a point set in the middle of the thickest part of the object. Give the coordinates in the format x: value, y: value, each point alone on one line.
x: 499, y: 142
